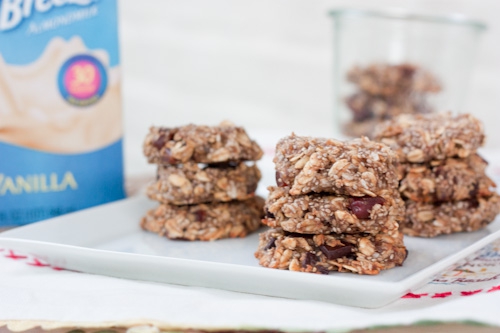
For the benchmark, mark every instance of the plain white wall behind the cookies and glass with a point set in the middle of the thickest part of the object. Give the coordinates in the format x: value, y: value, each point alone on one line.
x: 264, y: 64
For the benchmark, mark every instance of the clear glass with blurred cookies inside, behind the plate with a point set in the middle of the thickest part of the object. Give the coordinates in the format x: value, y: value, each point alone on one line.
x: 393, y: 62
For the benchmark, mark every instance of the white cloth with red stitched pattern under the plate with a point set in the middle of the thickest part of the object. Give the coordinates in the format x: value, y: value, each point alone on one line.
x: 33, y: 291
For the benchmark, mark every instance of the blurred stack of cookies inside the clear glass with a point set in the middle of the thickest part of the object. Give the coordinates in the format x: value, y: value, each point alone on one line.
x: 384, y: 91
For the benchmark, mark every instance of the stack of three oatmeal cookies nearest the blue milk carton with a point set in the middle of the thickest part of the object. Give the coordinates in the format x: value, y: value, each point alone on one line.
x: 205, y: 188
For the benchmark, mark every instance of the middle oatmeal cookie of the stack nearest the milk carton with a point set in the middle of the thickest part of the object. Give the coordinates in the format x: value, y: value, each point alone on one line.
x: 191, y: 183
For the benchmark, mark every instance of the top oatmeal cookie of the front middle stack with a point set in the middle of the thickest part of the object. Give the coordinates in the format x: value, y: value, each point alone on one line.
x: 356, y: 168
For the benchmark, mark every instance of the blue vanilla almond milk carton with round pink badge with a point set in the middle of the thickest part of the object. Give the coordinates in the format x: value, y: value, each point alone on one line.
x: 60, y: 108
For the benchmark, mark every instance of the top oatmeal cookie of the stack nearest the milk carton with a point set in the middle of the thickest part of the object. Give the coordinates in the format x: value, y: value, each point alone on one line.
x: 200, y: 144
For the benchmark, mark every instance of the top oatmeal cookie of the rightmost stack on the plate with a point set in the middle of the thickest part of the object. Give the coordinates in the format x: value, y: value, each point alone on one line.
x: 423, y: 138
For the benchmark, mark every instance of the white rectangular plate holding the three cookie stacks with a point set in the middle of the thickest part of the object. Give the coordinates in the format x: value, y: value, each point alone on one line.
x: 108, y: 240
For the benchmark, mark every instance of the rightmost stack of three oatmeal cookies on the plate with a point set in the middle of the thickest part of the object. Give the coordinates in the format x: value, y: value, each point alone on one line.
x: 443, y: 179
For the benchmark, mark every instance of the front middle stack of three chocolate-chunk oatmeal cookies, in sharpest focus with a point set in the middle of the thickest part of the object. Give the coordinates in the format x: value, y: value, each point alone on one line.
x: 336, y: 207
